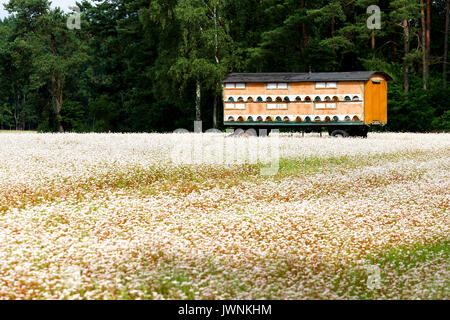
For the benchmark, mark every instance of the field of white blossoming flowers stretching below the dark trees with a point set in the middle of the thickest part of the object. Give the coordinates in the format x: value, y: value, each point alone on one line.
x: 122, y: 216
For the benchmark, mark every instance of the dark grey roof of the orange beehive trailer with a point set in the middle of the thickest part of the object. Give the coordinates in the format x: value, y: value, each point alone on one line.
x: 303, y: 77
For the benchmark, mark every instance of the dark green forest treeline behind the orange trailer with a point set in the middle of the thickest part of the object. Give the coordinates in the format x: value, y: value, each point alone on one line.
x: 144, y: 65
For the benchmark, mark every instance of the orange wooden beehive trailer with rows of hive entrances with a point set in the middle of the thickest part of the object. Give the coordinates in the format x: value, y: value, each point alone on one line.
x: 345, y: 103
